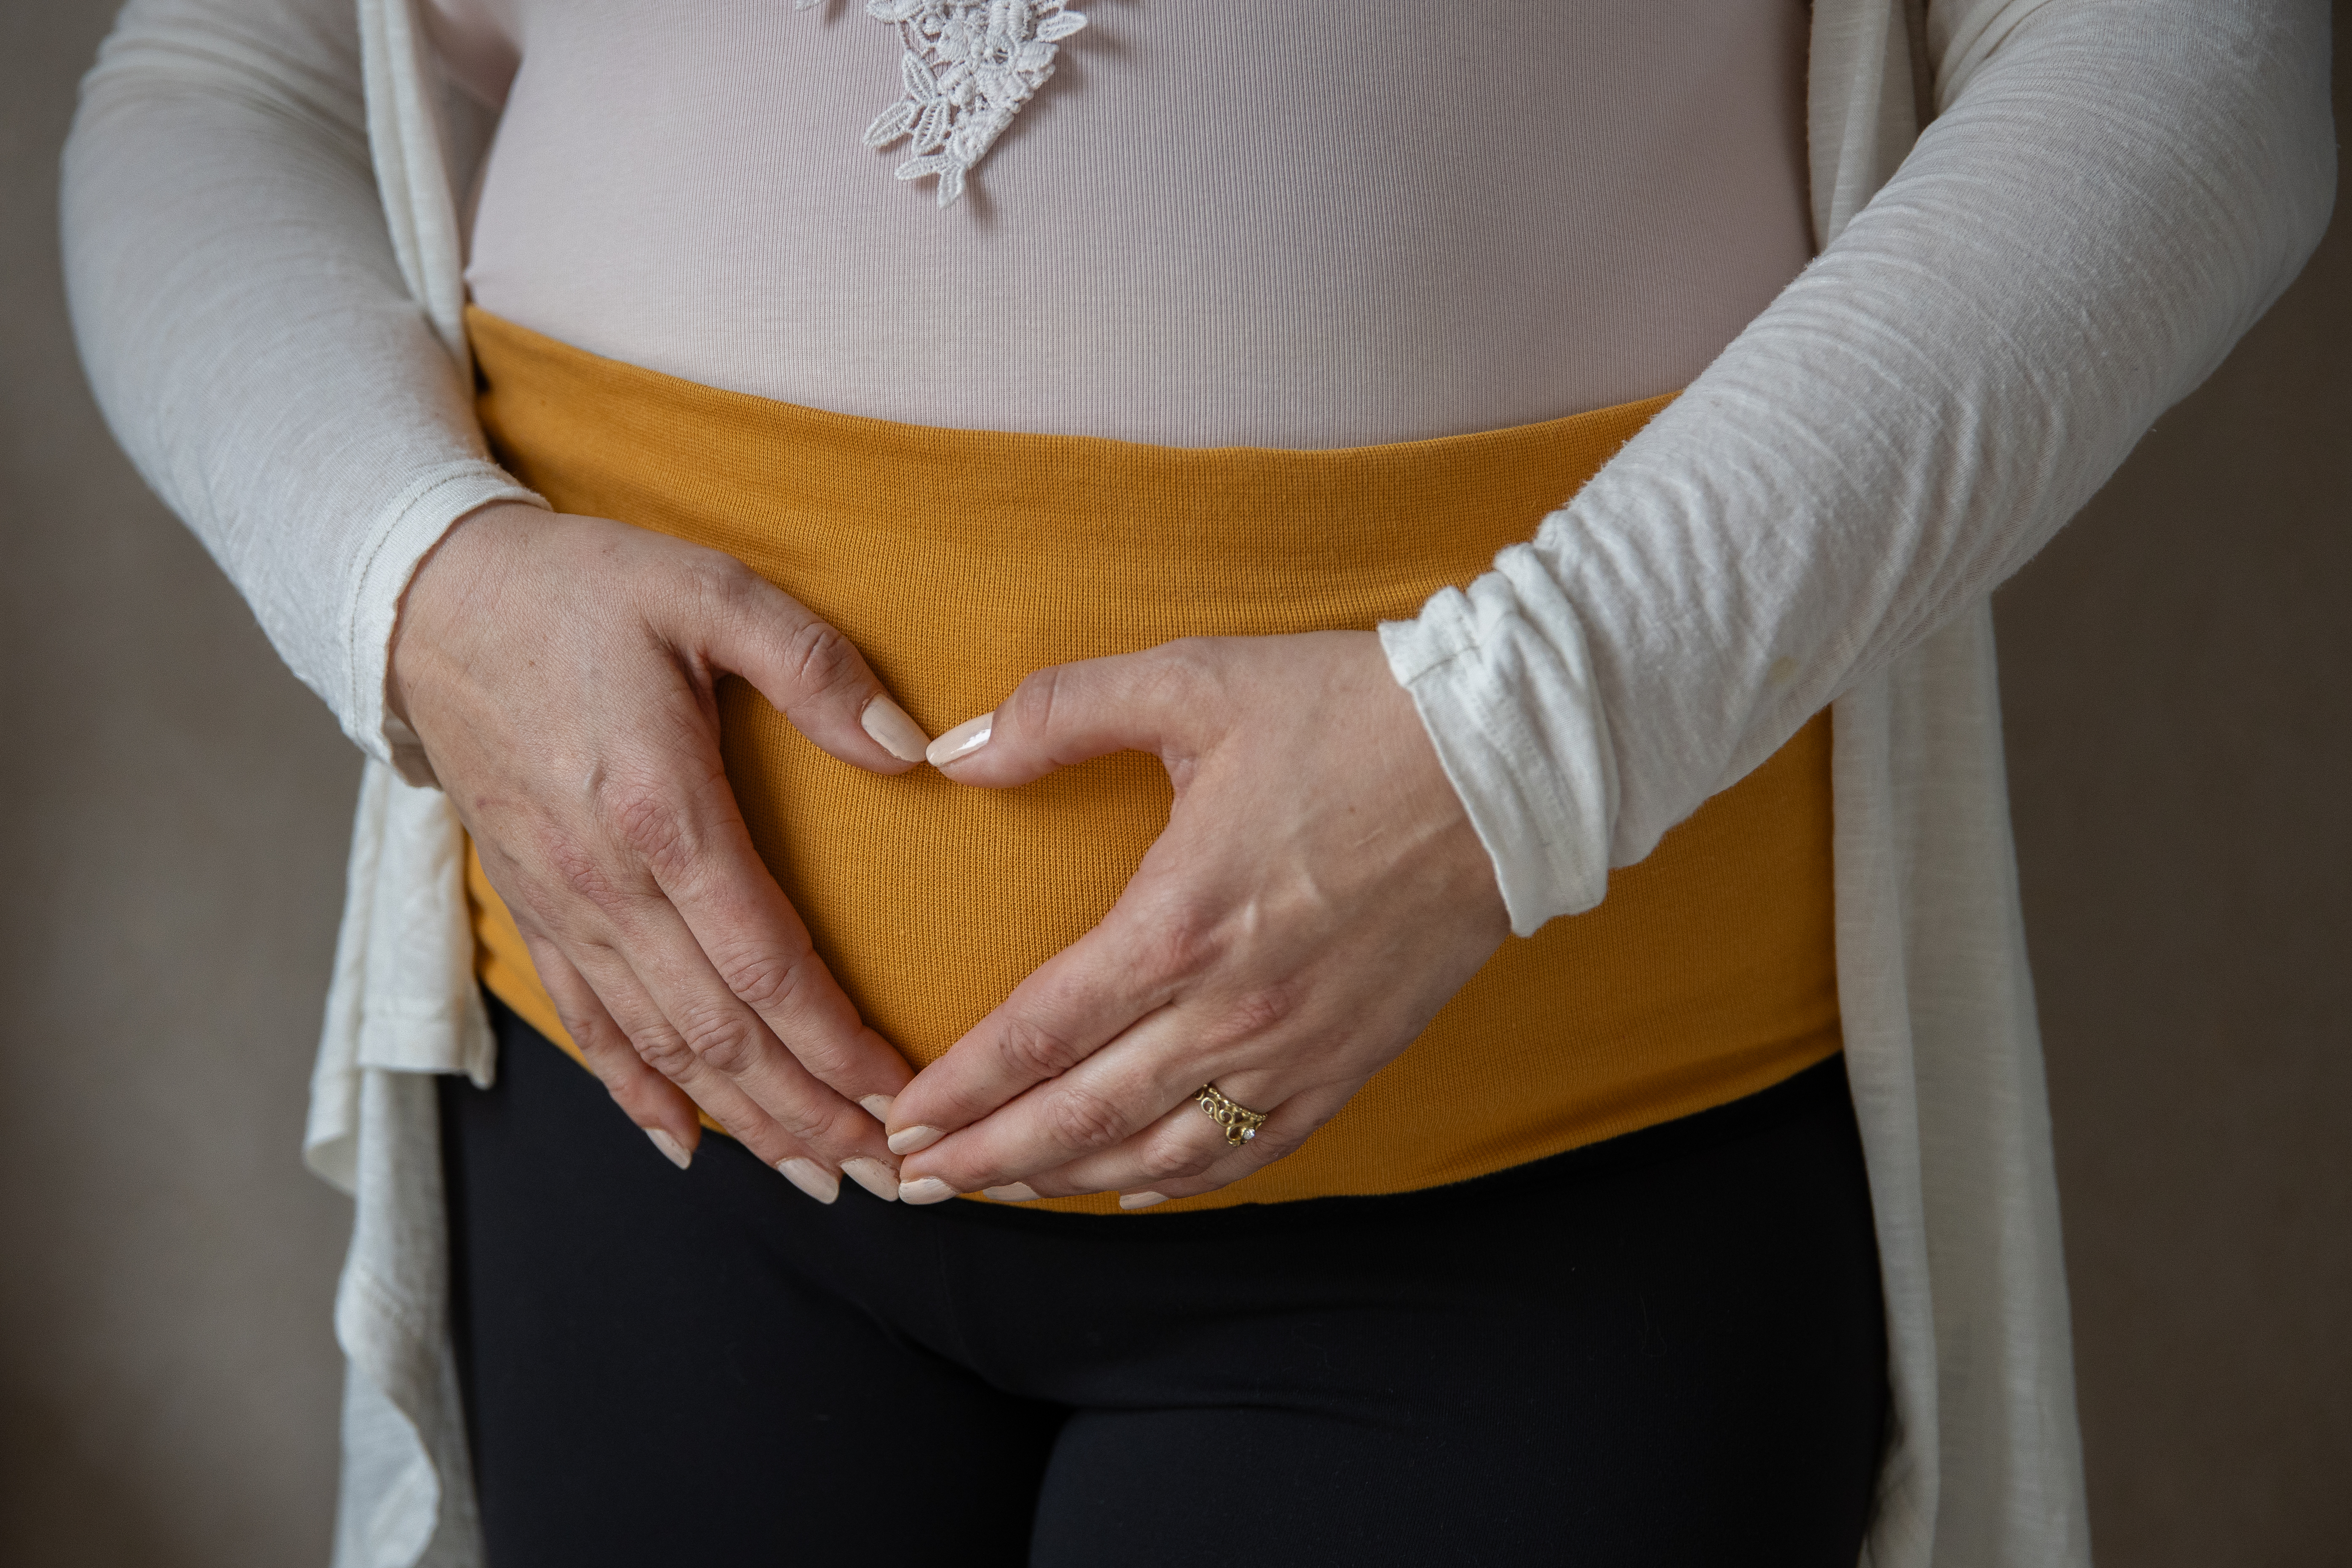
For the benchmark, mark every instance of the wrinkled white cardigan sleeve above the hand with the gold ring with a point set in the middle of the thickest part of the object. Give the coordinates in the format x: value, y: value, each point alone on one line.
x: 2109, y: 199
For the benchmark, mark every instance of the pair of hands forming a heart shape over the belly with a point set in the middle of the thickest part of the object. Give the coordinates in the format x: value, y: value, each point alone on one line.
x: 1316, y: 897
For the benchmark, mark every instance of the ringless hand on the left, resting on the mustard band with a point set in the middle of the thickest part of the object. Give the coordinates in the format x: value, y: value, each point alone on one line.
x: 563, y: 678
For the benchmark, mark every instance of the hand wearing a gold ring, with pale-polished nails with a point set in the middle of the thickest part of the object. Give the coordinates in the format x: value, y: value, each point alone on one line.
x: 1316, y: 899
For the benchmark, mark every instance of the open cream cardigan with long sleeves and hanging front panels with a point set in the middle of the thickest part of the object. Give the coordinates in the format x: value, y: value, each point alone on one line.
x: 265, y: 272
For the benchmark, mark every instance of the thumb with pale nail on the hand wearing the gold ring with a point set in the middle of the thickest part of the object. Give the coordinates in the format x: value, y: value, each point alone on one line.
x: 1074, y: 713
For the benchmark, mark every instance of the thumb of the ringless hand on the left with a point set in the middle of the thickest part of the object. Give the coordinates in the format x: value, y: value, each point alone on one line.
x: 813, y: 676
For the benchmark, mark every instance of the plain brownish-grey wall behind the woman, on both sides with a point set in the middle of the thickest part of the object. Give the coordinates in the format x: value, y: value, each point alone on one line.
x: 173, y: 812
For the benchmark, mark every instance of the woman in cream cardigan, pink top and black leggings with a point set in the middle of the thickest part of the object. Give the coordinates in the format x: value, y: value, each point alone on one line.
x: 1257, y: 739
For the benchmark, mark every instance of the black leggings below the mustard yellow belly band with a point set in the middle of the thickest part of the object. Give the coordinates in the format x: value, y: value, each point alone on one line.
x: 1657, y: 1351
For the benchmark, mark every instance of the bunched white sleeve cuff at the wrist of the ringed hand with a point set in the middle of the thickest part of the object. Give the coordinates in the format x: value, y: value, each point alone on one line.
x: 1504, y: 685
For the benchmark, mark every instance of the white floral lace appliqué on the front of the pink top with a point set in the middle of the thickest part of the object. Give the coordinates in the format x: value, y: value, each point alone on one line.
x: 968, y: 67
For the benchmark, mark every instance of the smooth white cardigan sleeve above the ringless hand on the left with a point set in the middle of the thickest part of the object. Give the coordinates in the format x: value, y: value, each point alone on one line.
x: 248, y: 333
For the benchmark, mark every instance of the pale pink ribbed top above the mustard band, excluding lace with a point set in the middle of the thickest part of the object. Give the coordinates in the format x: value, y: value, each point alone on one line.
x: 1222, y: 222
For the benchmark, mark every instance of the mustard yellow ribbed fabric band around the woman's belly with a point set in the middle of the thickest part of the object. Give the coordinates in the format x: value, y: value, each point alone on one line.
x: 961, y: 561
